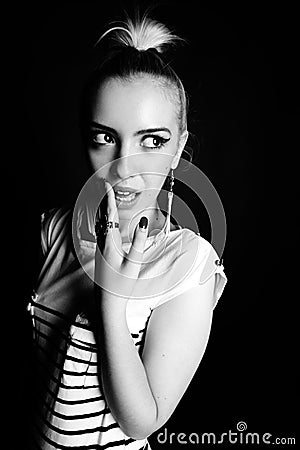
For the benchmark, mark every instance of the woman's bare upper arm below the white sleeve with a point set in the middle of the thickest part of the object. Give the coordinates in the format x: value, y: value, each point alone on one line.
x: 176, y: 338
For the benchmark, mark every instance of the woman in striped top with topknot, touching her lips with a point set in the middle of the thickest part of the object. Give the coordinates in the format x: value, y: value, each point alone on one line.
x: 114, y: 323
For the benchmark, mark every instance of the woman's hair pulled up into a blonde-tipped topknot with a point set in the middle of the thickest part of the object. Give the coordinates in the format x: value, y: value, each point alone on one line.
x: 139, y: 47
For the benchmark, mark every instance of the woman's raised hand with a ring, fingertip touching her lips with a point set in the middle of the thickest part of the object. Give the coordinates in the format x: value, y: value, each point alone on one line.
x: 115, y: 271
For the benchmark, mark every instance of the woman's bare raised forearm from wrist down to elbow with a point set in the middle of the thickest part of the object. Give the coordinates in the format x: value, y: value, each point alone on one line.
x: 124, y: 378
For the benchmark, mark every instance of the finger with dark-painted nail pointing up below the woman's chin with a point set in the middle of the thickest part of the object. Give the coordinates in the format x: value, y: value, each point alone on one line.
x: 136, y: 252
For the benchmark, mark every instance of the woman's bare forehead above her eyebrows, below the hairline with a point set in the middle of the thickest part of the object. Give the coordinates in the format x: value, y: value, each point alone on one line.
x: 129, y: 105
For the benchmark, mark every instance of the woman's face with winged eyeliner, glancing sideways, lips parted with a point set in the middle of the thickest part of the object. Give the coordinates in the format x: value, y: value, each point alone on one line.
x: 133, y: 131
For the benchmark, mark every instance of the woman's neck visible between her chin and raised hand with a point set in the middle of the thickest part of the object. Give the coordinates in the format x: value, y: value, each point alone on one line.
x: 156, y: 221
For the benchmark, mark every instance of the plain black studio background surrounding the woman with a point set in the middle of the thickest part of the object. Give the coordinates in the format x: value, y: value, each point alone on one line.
x: 241, y: 70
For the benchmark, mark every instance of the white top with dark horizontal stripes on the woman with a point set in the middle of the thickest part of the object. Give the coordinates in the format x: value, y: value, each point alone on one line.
x: 74, y: 411
